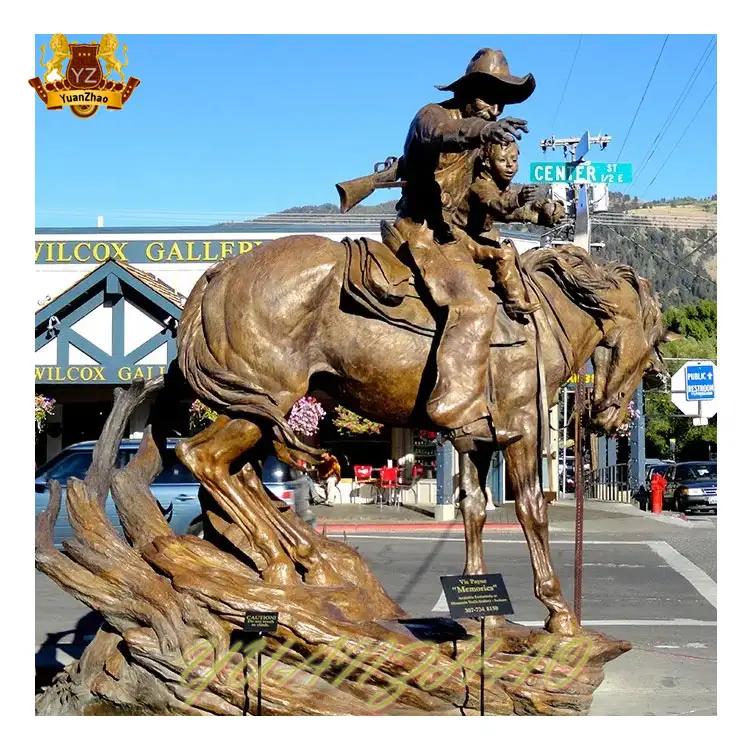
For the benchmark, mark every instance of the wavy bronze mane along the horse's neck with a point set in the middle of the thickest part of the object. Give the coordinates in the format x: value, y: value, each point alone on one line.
x: 583, y: 280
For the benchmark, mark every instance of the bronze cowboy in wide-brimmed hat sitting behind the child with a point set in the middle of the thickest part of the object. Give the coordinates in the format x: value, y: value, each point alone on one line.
x: 442, y: 147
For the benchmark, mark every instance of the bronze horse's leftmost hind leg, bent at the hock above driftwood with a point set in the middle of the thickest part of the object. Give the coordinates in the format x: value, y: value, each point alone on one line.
x: 209, y: 455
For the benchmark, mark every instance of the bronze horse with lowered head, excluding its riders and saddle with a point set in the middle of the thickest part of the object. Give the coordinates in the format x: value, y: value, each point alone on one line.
x: 259, y: 328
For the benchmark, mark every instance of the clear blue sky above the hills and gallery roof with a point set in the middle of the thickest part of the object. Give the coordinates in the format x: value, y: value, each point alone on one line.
x: 229, y: 127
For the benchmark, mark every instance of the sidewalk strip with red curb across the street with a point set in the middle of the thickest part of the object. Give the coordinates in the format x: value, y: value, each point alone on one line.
x: 409, y: 517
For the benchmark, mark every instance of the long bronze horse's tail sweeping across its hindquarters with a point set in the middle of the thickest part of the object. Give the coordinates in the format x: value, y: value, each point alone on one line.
x: 220, y: 388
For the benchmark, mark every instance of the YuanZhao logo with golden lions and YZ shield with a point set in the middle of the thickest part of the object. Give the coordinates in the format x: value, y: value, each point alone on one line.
x: 83, y: 87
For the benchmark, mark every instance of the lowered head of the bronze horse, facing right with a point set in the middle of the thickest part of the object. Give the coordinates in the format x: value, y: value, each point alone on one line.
x: 628, y: 352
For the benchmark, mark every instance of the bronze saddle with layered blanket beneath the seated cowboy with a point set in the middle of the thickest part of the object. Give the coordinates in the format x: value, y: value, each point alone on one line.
x: 379, y: 283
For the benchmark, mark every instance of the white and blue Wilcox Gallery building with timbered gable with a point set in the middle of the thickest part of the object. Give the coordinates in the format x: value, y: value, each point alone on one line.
x: 109, y: 301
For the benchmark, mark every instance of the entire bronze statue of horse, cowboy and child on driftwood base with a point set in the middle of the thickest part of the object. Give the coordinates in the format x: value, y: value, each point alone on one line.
x: 400, y: 332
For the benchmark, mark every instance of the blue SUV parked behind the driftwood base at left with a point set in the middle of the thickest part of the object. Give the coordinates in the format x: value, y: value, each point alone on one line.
x: 175, y: 488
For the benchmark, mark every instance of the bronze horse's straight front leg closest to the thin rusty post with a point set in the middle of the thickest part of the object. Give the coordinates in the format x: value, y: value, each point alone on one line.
x: 531, y: 509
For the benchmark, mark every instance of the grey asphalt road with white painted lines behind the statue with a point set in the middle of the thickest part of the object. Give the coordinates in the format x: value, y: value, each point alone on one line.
x: 648, y: 582
